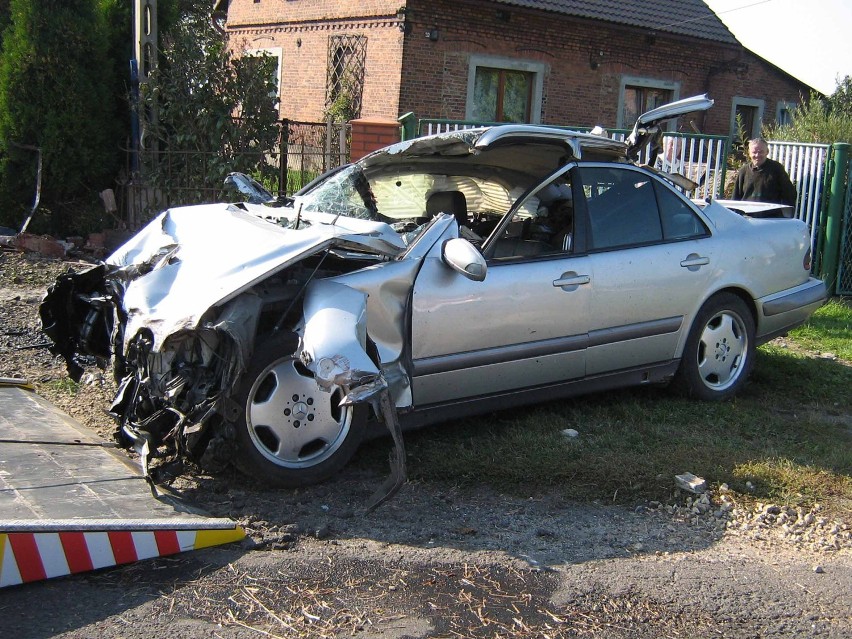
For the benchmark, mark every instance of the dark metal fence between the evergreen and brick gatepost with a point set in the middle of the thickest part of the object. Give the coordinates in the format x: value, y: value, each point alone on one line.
x: 169, y: 176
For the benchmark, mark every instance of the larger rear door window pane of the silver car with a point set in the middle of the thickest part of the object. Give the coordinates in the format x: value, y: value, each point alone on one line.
x: 622, y: 207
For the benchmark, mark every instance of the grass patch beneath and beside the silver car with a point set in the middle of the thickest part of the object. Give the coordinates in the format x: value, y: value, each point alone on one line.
x: 789, y: 434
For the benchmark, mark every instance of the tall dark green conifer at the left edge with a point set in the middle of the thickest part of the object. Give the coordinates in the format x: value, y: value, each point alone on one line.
x: 54, y: 95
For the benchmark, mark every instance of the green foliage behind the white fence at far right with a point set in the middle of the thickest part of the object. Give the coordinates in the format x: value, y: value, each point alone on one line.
x: 821, y: 120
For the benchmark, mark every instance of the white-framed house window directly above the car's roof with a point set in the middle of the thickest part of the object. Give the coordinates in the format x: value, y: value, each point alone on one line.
x: 504, y: 90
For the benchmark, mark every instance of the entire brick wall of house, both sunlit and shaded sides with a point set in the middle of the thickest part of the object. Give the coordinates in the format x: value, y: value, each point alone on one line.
x: 410, y: 72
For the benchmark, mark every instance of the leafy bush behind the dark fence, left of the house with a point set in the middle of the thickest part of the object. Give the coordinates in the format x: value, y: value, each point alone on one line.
x: 210, y: 103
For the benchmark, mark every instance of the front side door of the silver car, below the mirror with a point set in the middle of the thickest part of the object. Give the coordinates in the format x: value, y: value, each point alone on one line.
x: 524, y: 326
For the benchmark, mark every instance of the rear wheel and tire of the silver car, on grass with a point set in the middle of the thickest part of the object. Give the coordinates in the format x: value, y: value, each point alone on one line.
x: 719, y: 351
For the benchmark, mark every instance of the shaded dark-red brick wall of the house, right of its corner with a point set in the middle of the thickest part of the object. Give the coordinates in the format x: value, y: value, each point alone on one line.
x: 435, y: 73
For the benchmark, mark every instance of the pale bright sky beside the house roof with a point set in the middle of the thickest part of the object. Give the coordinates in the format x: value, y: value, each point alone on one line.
x: 809, y: 39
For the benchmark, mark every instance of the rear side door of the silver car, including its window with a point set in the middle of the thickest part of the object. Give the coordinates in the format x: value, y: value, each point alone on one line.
x: 651, y: 258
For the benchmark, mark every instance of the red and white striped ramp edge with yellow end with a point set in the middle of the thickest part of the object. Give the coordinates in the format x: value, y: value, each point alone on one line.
x: 61, y: 548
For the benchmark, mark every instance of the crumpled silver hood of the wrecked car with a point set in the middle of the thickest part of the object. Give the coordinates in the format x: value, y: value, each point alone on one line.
x: 205, y: 255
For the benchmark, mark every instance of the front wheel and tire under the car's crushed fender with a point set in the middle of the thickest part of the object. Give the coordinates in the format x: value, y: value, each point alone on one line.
x: 291, y: 433
